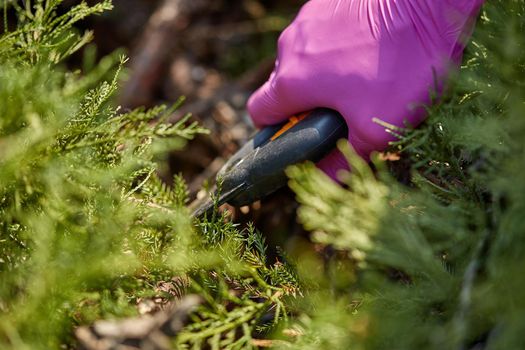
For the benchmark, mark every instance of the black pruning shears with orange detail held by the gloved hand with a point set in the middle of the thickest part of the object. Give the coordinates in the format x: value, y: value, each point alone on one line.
x: 258, y: 168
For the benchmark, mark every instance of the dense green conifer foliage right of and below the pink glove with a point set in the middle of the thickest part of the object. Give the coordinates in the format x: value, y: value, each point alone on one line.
x: 437, y: 261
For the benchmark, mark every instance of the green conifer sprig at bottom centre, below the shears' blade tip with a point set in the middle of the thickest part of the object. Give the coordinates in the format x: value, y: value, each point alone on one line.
x: 240, y: 273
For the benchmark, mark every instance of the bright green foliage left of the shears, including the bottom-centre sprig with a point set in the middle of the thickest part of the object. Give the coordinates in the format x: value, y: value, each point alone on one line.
x: 87, y: 228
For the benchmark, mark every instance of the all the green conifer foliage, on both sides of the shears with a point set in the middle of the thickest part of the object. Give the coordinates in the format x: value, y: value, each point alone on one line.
x: 88, y: 229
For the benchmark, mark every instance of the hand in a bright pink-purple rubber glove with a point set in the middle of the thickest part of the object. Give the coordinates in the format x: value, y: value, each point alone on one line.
x: 366, y: 59
